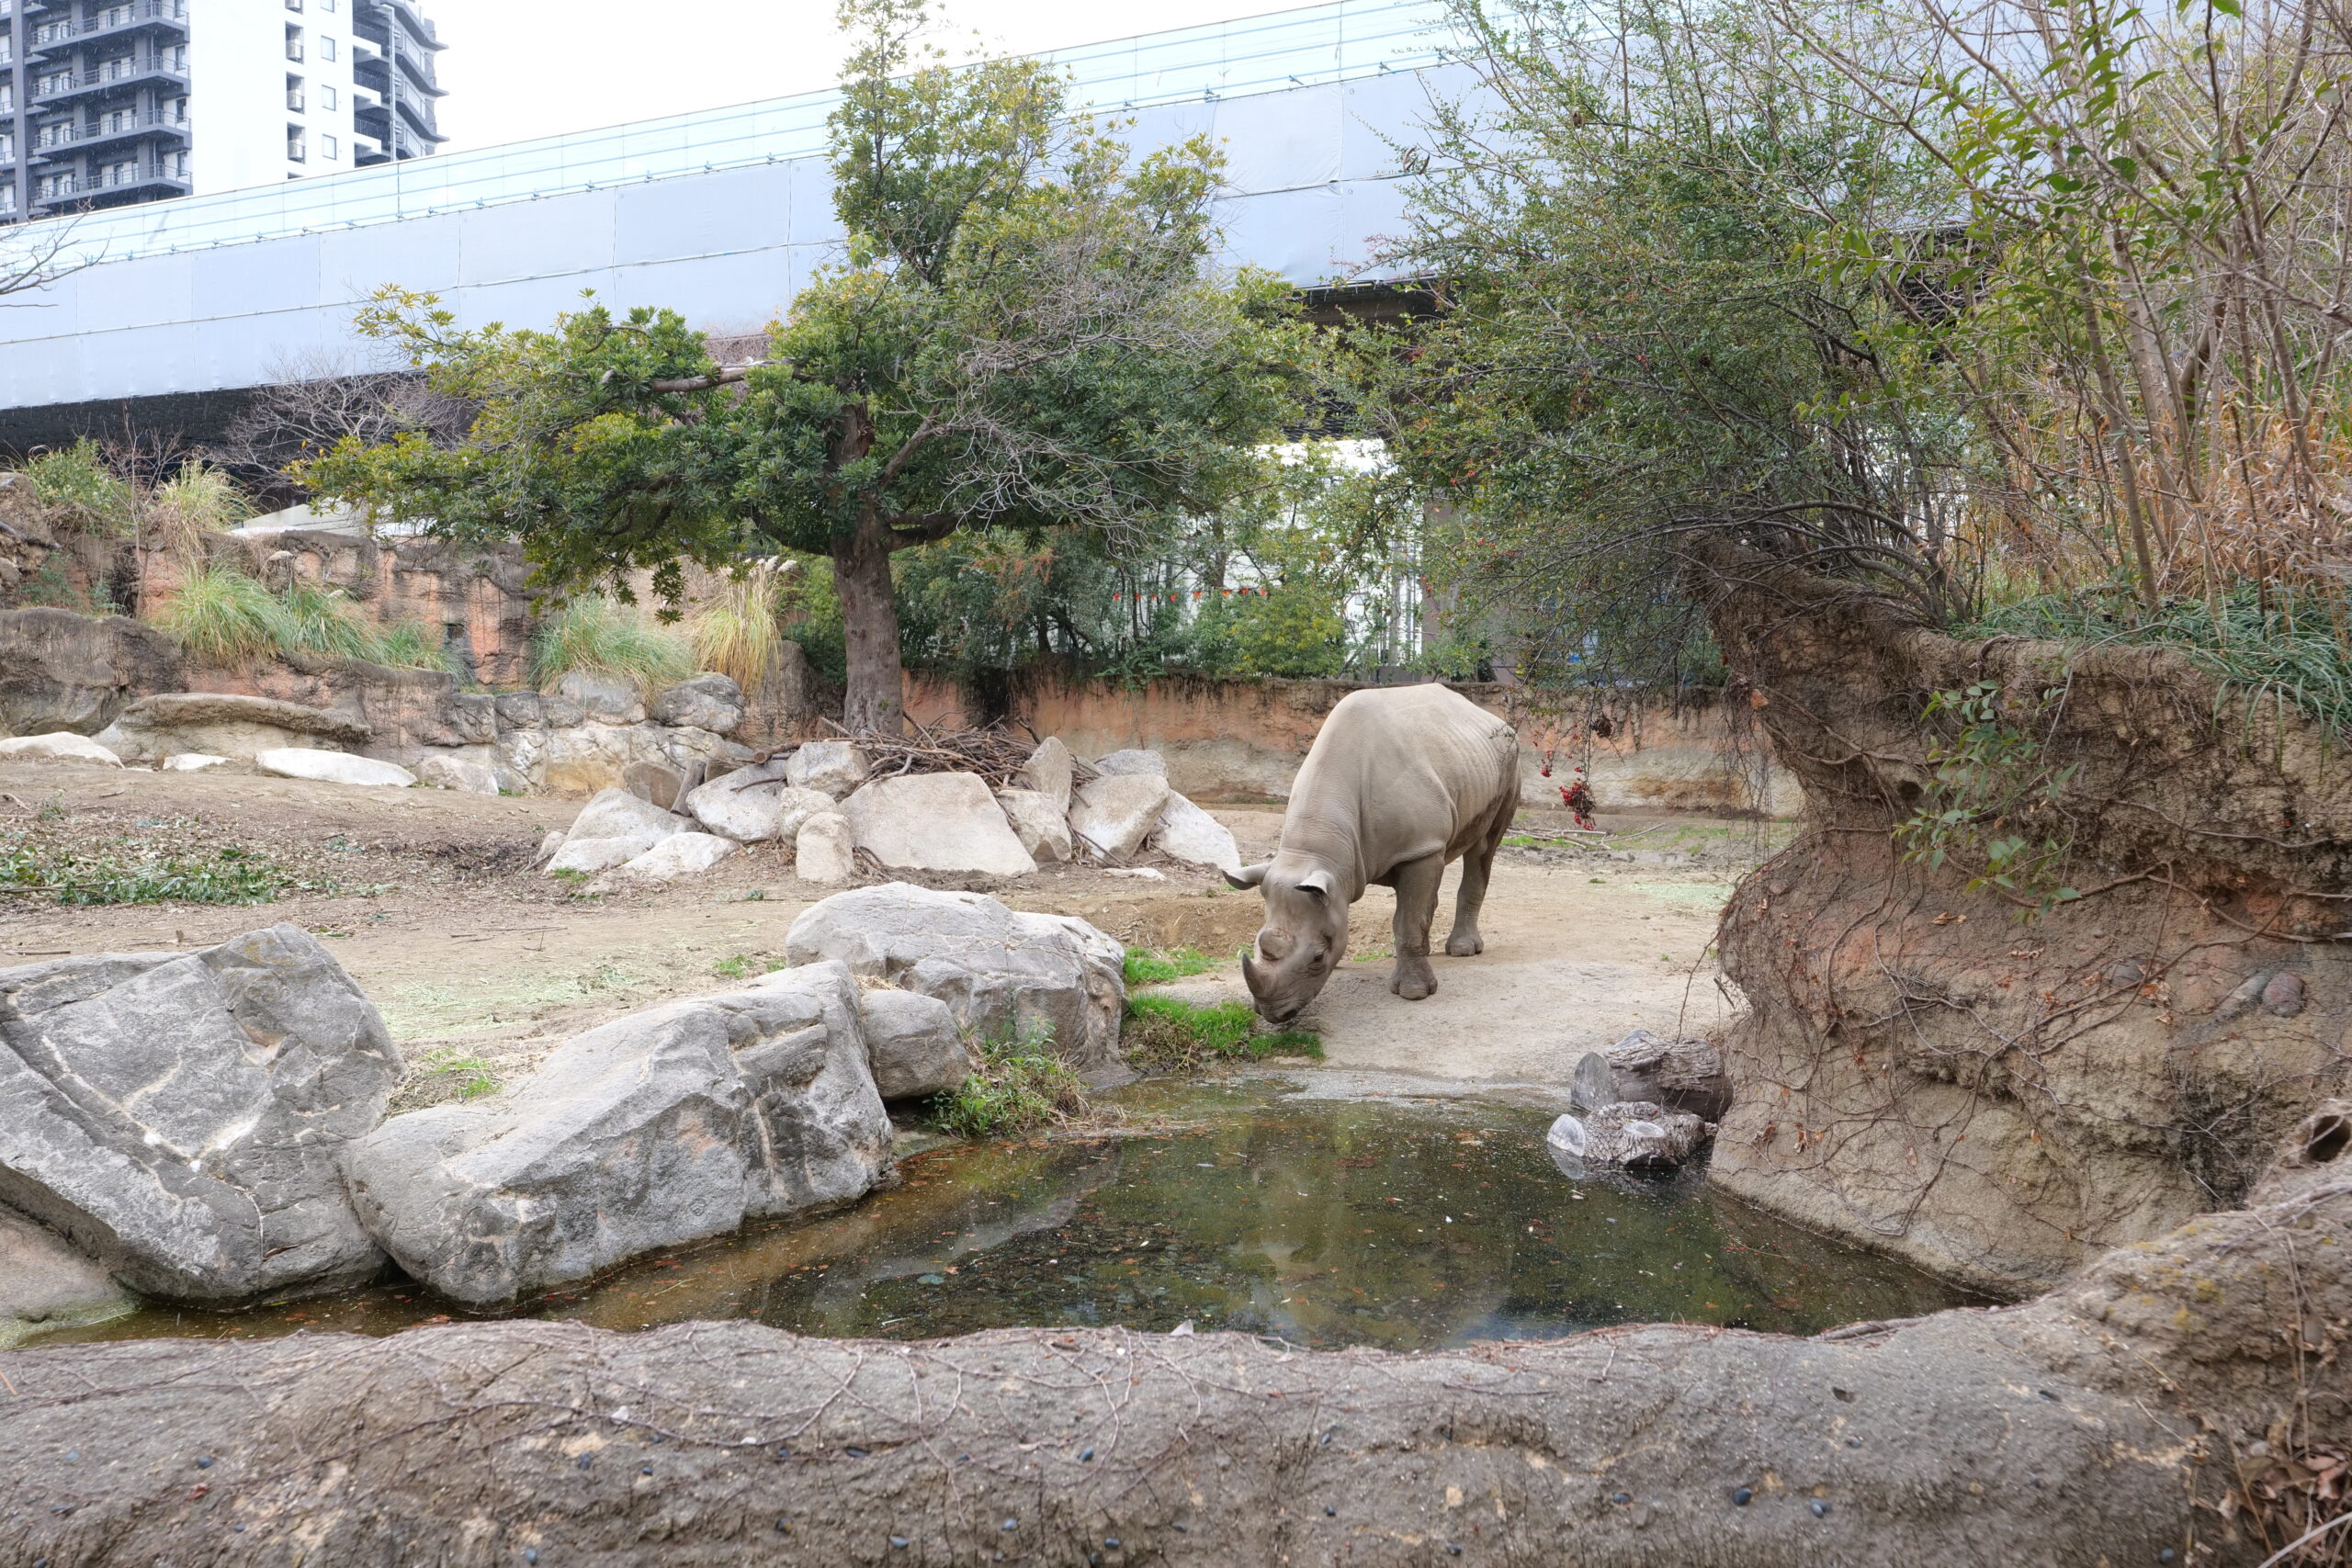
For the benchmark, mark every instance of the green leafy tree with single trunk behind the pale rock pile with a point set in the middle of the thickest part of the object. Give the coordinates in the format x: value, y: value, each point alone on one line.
x: 1024, y: 335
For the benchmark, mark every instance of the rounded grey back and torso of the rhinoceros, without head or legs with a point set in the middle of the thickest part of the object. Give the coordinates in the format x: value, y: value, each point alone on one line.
x: 1396, y: 775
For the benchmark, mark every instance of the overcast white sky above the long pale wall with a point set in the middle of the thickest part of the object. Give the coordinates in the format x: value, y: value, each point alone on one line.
x: 521, y: 69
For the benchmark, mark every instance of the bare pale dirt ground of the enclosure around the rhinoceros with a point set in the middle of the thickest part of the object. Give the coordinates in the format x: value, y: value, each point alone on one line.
x: 481, y: 965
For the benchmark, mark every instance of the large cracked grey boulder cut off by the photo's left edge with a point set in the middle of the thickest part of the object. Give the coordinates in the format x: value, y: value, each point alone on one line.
x: 180, y: 1118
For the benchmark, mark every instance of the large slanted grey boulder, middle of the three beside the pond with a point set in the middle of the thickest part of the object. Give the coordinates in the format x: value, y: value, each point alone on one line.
x: 653, y: 1132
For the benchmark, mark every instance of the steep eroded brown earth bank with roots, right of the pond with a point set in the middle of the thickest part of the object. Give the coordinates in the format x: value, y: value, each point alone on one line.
x: 1996, y: 1097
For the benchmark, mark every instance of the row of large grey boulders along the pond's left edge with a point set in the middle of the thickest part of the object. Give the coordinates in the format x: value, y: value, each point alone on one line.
x: 211, y: 1127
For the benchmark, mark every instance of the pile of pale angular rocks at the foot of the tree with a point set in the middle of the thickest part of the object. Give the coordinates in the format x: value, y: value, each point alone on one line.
x: 829, y: 805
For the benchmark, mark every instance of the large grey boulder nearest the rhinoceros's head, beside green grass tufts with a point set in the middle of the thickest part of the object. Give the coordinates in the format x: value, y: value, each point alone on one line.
x: 998, y: 972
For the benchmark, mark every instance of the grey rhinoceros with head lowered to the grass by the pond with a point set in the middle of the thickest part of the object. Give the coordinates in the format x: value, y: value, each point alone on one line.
x: 1398, y: 784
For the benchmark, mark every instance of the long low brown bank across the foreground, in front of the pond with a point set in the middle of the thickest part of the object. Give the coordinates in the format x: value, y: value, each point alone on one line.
x: 2099, y: 1426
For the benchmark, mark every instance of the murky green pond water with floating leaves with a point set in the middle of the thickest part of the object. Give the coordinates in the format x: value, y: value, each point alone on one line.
x: 1328, y: 1224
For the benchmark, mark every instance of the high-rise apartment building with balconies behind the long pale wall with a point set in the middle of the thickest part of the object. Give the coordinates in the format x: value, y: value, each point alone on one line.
x: 112, y: 102
